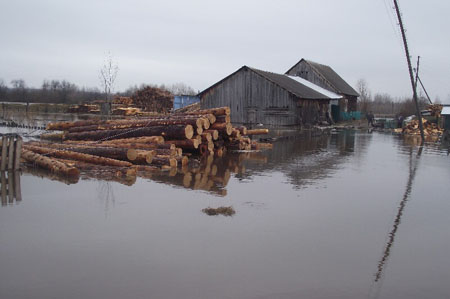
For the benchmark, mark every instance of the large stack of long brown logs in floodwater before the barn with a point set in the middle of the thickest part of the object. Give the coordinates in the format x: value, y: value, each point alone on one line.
x: 130, y: 145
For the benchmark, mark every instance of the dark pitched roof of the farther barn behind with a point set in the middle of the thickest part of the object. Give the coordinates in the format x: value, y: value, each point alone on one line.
x: 330, y: 76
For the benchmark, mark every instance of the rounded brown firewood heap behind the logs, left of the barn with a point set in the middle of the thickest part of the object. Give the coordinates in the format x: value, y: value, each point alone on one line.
x: 153, y: 99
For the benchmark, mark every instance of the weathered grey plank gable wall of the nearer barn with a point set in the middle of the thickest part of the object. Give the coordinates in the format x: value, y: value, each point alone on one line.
x: 253, y: 99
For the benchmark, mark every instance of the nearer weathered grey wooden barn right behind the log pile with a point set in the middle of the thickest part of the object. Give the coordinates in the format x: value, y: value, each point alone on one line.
x: 260, y: 97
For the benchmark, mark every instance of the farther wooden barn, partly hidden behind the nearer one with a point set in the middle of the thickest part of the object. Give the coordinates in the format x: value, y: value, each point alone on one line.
x: 325, y: 77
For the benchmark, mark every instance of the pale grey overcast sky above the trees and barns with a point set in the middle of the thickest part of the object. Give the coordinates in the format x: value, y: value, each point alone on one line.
x: 200, y: 42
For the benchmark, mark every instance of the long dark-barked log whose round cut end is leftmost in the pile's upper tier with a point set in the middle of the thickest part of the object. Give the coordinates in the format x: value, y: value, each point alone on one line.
x: 170, y: 132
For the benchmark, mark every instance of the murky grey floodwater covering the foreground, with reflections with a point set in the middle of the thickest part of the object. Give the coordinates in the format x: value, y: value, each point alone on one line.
x: 351, y: 215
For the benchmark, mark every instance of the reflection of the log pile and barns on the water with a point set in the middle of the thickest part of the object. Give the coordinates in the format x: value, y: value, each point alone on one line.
x: 303, y: 160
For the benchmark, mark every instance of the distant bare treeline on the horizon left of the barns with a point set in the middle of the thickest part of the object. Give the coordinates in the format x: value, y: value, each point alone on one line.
x: 64, y: 92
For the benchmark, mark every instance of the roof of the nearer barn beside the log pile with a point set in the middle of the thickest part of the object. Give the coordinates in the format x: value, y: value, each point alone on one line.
x: 286, y: 82
